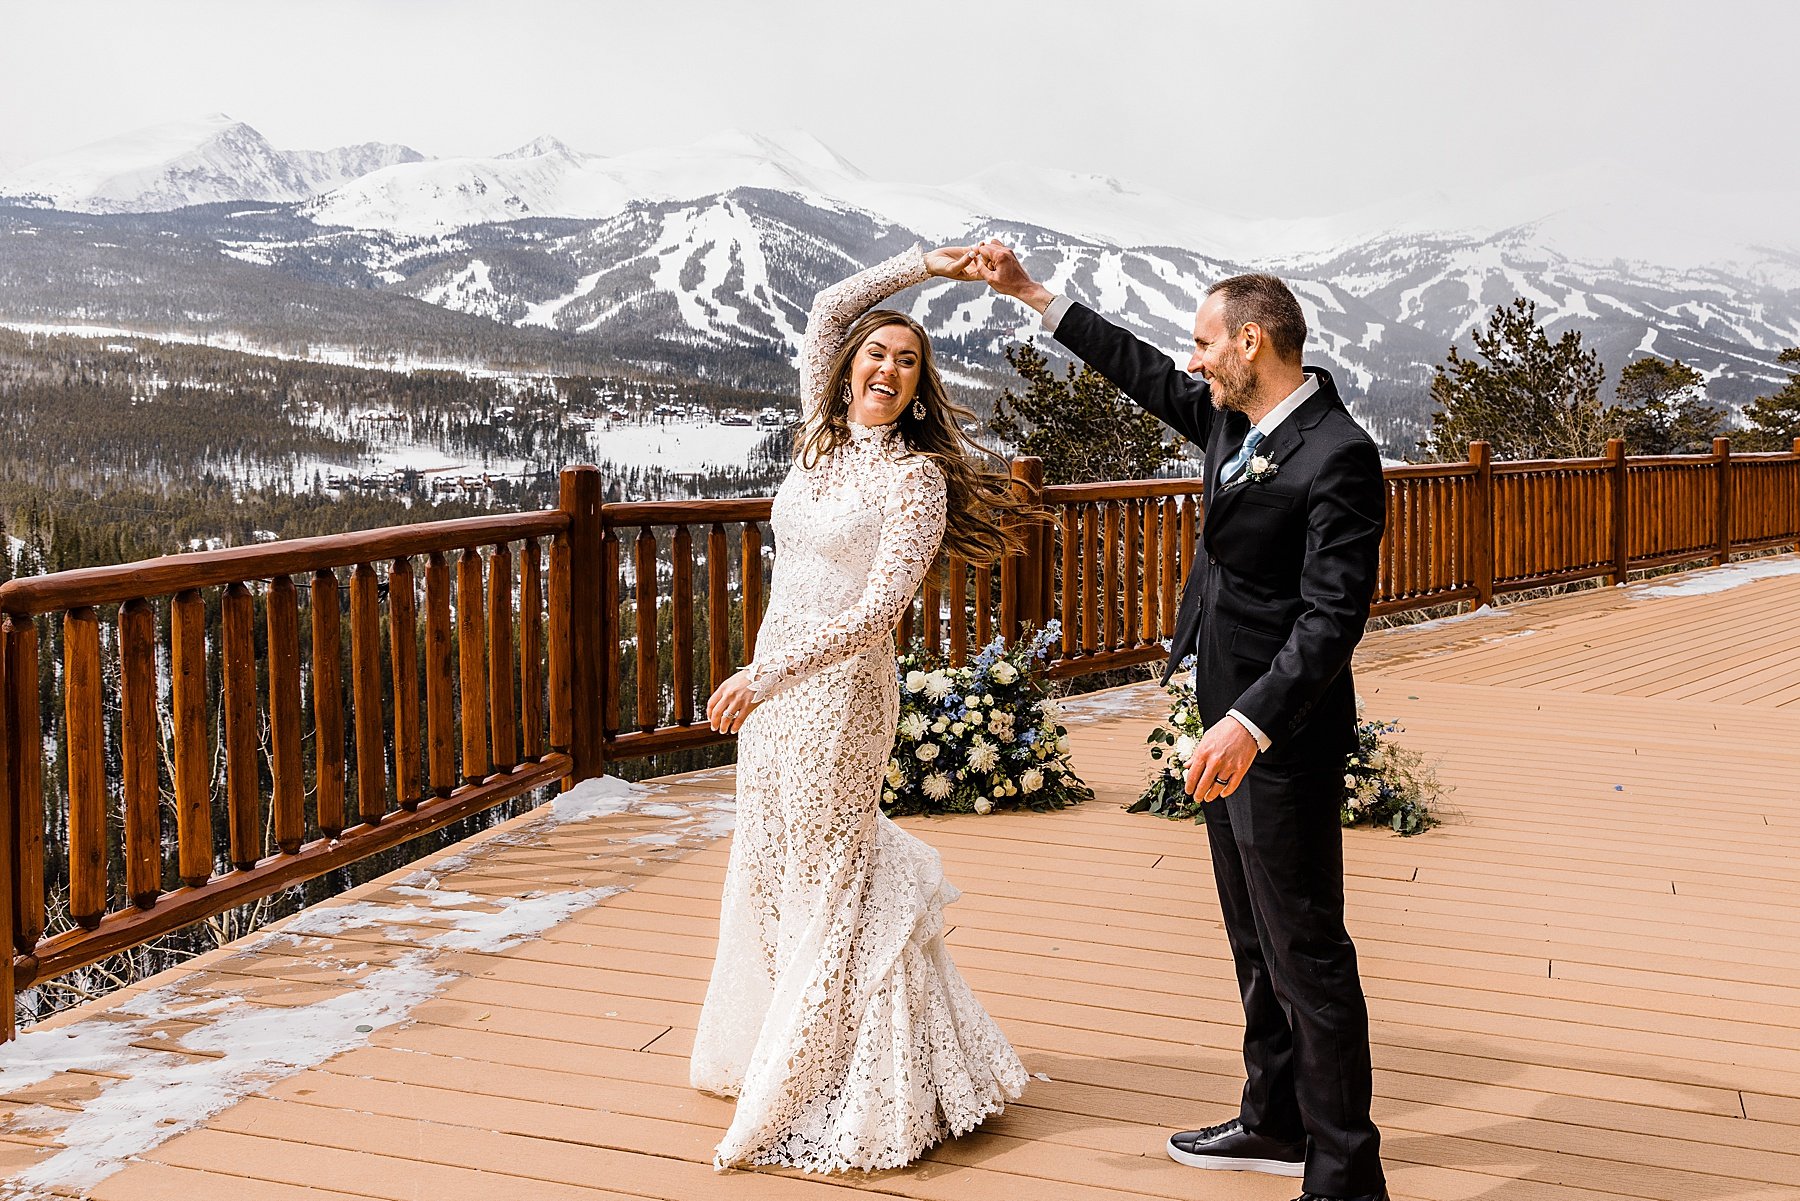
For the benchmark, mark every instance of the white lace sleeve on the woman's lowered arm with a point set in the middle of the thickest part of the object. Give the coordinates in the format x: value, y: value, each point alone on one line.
x: 912, y: 530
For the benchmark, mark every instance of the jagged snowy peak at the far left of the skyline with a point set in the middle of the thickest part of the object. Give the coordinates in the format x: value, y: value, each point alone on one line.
x: 188, y: 163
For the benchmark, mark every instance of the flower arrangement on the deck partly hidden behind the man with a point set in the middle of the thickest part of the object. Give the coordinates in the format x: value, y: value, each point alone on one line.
x: 1385, y: 782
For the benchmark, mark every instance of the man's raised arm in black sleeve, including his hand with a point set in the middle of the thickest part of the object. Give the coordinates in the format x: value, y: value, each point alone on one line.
x: 1137, y: 368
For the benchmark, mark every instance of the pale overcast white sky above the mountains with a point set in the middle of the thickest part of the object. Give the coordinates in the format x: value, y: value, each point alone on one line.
x: 1282, y: 109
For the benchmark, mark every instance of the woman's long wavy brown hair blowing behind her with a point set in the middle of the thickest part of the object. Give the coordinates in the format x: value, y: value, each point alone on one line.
x: 984, y: 510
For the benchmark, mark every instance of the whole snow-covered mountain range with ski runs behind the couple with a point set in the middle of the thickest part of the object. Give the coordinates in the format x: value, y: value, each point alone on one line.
x: 703, y: 260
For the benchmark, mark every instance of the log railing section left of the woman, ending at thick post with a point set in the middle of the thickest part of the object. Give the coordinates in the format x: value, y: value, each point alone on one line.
x: 253, y: 718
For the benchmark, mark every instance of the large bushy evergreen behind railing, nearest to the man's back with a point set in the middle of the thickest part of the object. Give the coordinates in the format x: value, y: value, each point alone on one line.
x: 1529, y: 397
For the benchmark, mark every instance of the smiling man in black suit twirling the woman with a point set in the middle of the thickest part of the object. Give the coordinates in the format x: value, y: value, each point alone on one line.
x: 1275, y: 604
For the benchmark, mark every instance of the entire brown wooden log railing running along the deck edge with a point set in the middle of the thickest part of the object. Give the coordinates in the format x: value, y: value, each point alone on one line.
x: 490, y: 656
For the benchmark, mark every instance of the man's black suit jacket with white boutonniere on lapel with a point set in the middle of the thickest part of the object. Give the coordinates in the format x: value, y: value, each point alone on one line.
x: 1286, y: 568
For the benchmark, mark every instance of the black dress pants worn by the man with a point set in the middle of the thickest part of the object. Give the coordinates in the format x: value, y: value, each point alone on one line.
x: 1279, y: 863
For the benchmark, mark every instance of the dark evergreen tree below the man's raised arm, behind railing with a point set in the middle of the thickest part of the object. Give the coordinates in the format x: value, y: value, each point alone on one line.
x: 1079, y: 424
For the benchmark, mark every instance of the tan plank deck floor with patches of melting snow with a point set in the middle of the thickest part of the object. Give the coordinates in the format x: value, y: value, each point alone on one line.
x: 1587, y: 986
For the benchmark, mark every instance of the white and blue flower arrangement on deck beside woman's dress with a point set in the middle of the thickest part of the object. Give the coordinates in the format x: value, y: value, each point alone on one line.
x: 980, y: 737
